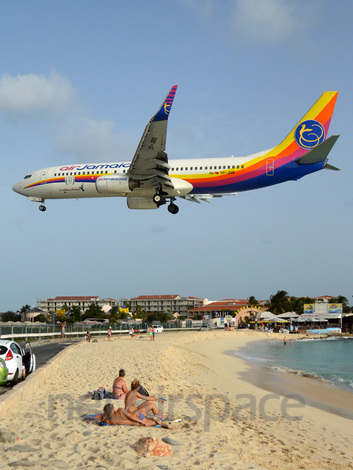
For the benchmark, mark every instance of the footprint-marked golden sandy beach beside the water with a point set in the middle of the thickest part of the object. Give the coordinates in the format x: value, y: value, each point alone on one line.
x: 226, y: 422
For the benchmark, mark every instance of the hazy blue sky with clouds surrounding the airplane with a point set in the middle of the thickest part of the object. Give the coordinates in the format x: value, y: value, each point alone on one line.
x: 79, y: 82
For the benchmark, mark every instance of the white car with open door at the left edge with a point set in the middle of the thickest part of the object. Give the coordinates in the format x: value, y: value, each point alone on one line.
x: 17, y: 359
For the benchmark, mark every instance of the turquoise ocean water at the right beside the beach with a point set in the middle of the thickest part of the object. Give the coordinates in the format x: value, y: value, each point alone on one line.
x: 326, y: 359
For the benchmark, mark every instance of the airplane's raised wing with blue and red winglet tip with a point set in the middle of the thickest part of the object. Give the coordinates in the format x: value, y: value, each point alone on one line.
x: 150, y: 163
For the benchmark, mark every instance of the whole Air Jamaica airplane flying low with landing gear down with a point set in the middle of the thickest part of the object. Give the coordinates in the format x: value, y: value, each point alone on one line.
x: 150, y: 179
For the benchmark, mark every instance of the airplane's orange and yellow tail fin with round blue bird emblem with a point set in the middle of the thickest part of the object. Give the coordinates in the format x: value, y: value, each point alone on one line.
x: 310, y: 132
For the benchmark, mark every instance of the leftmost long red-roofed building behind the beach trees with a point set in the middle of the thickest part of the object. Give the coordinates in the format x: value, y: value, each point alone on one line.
x: 83, y: 302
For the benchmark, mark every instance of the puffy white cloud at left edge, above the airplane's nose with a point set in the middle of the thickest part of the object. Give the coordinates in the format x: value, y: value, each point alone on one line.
x: 28, y: 96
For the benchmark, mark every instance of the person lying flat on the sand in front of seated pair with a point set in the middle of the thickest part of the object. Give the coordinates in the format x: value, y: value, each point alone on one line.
x: 136, y: 418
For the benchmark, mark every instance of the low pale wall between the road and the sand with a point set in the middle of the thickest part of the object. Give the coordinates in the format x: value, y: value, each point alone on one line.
x: 32, y: 383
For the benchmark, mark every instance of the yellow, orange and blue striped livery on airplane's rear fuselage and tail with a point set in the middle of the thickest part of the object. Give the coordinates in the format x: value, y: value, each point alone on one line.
x: 278, y: 164
